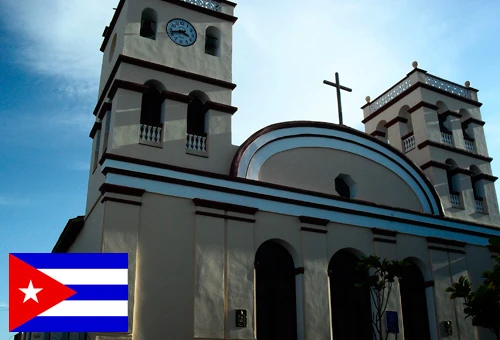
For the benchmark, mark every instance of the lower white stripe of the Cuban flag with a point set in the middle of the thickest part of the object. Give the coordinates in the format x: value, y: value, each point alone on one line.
x: 88, y: 308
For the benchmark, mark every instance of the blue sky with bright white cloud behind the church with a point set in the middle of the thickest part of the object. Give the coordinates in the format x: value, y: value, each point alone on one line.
x: 282, y: 51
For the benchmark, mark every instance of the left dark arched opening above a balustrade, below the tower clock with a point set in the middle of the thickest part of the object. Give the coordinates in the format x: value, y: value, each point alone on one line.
x: 151, y: 105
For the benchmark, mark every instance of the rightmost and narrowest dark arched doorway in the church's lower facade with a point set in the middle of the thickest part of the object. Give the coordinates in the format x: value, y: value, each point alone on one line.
x: 414, y: 304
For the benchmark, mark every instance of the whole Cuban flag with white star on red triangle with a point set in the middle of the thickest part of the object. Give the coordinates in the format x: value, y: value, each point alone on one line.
x: 68, y: 292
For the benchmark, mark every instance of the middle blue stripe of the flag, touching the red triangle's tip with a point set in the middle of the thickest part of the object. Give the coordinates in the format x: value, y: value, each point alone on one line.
x: 99, y: 292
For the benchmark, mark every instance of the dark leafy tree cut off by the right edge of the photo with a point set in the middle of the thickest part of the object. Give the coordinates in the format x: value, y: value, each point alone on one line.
x: 483, y: 304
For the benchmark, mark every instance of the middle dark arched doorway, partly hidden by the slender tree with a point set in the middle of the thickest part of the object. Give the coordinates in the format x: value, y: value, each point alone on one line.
x: 350, y: 305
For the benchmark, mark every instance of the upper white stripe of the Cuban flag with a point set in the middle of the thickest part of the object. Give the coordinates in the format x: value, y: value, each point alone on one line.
x: 88, y: 276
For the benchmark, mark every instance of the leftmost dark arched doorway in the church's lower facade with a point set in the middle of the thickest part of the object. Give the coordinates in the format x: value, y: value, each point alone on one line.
x: 275, y: 293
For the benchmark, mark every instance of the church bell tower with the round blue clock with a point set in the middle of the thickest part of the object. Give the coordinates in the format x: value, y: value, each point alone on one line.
x: 166, y: 86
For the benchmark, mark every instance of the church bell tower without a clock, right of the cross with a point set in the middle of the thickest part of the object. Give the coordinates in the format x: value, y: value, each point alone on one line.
x: 437, y: 124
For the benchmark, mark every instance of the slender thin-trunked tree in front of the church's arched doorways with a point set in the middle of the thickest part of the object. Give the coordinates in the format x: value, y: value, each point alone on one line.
x: 379, y: 276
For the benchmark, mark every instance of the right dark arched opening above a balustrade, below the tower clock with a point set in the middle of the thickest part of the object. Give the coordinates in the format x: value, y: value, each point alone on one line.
x: 197, y: 114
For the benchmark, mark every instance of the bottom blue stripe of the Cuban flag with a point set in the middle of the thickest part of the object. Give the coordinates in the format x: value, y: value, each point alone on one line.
x: 104, y: 324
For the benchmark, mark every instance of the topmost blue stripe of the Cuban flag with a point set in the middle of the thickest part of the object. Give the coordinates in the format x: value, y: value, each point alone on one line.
x: 75, y: 261
